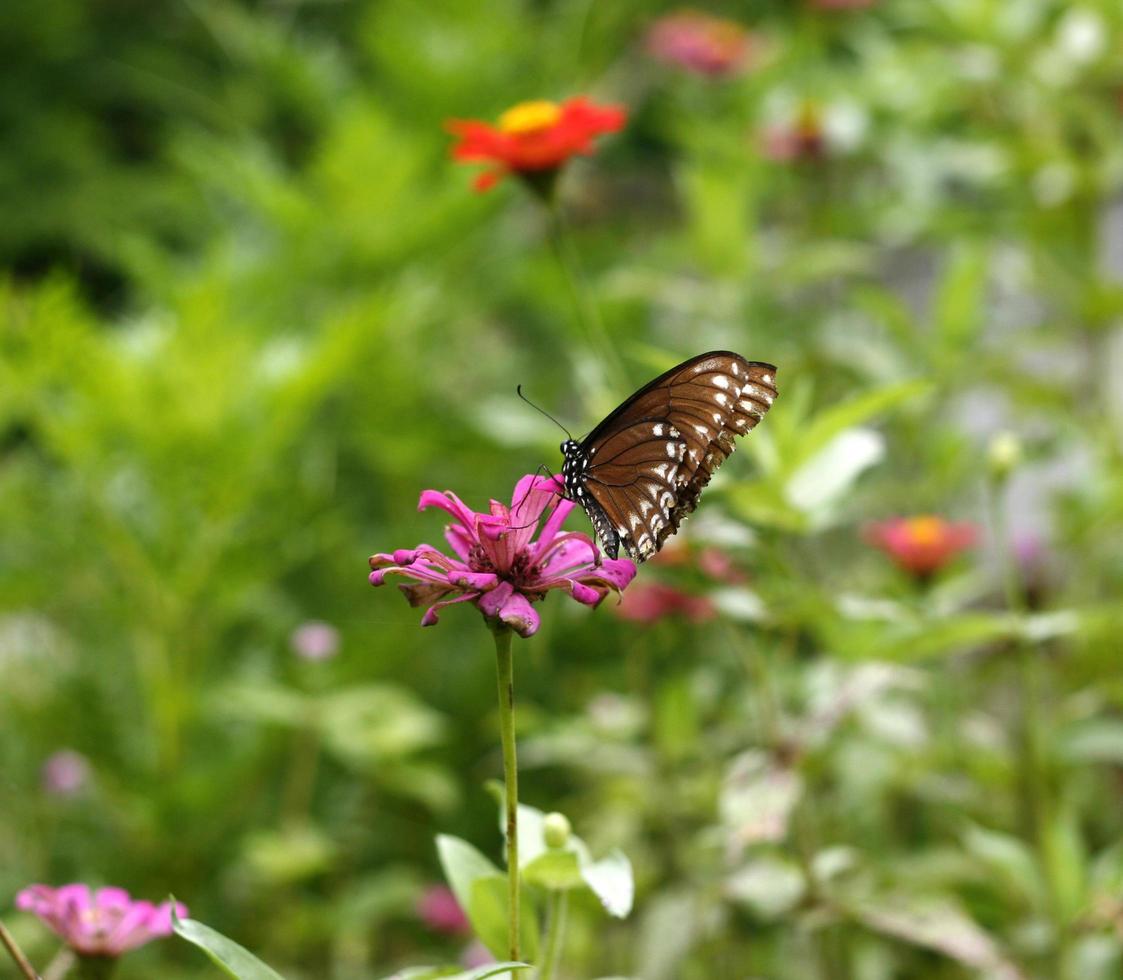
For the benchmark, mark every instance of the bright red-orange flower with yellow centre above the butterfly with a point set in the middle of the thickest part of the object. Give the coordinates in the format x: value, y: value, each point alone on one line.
x: 534, y: 140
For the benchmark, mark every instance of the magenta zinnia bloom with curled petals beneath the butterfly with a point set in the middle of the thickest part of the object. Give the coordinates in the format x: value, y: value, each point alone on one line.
x: 499, y: 567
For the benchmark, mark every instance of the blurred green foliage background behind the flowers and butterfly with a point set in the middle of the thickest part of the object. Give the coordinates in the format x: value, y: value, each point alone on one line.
x: 250, y: 310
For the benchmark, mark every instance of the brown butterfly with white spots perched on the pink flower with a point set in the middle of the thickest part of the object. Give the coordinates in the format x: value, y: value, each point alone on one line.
x: 642, y: 471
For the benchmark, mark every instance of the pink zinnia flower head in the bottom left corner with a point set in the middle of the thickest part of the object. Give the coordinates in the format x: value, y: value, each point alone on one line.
x: 103, y: 923
